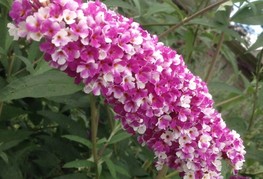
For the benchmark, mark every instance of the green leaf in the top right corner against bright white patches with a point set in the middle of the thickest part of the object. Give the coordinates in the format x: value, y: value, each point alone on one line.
x: 250, y: 13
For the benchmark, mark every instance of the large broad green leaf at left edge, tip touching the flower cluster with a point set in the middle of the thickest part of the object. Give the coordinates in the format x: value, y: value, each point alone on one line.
x: 50, y: 83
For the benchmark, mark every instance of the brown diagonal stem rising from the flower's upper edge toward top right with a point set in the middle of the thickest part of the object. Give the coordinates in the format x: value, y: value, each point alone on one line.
x: 192, y: 17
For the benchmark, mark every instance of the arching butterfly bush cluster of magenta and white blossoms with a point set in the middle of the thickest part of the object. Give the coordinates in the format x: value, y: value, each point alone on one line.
x: 148, y: 84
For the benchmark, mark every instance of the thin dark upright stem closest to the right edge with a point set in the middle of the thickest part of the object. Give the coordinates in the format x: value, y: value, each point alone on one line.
x: 255, y: 95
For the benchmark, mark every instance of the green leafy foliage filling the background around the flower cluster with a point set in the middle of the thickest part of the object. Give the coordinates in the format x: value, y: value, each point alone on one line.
x: 45, y: 128
